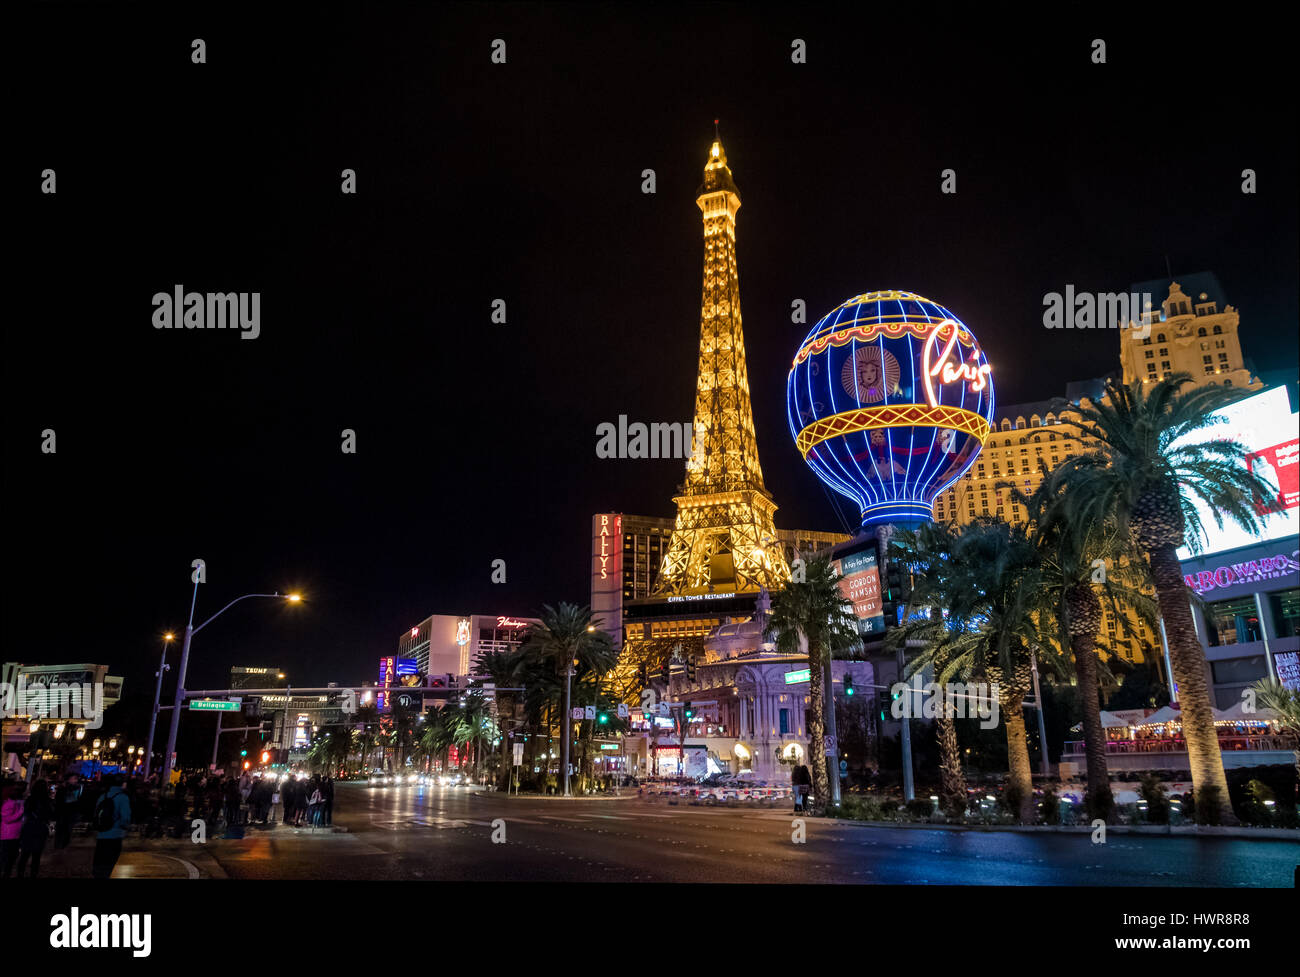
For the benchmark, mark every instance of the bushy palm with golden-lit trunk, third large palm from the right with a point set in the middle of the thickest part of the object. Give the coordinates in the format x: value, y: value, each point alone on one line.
x: 989, y: 590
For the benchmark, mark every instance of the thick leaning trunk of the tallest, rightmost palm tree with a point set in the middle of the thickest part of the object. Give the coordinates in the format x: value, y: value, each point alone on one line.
x: 1189, y: 666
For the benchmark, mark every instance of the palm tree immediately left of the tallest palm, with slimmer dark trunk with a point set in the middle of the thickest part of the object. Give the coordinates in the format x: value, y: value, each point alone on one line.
x: 1071, y: 544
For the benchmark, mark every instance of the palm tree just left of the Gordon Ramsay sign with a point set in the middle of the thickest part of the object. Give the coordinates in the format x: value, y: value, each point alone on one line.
x: 816, y: 611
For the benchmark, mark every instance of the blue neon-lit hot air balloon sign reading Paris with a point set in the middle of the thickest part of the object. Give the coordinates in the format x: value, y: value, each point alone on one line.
x: 890, y: 400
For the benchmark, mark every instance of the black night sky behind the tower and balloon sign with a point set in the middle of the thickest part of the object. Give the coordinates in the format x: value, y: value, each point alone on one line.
x: 523, y: 183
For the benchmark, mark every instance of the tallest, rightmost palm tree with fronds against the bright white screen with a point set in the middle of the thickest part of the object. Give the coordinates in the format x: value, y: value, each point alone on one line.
x: 1147, y: 481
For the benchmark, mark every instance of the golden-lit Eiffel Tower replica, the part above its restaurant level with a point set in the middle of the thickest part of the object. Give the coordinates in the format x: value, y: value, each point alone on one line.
x: 725, y: 539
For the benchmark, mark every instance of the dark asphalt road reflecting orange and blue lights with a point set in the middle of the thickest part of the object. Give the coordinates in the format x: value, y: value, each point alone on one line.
x: 437, y: 833
